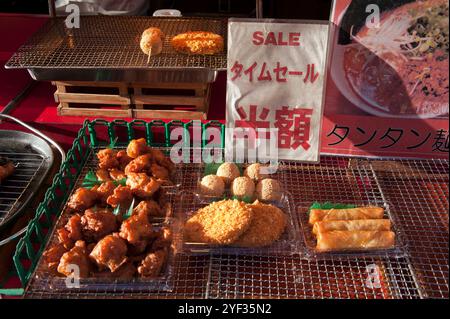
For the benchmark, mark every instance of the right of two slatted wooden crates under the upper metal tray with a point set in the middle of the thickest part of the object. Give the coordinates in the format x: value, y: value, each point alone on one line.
x: 171, y: 100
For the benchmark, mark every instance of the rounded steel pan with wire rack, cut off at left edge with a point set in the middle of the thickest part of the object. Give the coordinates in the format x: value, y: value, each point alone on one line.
x: 33, y: 158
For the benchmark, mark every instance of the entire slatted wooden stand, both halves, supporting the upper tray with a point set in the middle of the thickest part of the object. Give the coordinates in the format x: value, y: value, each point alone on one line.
x: 133, y: 100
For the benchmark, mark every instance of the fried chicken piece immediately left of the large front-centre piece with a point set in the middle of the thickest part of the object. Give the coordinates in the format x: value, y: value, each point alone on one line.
x: 77, y: 256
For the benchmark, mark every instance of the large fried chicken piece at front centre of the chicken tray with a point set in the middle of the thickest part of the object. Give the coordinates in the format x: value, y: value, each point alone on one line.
x: 110, y: 252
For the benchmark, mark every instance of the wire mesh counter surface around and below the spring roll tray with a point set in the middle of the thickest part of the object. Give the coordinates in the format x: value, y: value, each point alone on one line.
x: 417, y: 192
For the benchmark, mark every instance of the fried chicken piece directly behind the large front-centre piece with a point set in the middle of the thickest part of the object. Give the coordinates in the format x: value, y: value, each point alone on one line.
x: 98, y: 223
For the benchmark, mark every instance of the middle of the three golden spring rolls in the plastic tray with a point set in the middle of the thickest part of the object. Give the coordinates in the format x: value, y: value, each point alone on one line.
x: 352, y: 225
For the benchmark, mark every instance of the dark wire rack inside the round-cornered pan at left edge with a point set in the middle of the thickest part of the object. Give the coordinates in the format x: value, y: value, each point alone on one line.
x: 13, y: 188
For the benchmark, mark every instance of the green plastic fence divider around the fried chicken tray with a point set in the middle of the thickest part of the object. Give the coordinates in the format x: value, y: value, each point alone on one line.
x: 30, y: 247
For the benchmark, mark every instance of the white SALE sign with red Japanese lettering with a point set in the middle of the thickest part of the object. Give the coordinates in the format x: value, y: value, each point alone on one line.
x: 276, y: 76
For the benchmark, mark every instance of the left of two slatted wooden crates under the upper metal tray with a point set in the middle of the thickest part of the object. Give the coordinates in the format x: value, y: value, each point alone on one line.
x: 109, y: 99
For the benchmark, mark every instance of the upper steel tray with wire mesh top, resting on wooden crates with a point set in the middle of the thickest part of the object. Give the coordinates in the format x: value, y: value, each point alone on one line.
x: 107, y: 49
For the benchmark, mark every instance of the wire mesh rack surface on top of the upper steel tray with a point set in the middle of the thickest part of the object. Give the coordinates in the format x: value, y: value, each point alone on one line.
x: 113, y: 42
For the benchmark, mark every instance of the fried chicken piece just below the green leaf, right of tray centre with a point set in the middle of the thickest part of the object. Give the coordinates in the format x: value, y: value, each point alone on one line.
x: 136, y: 229
